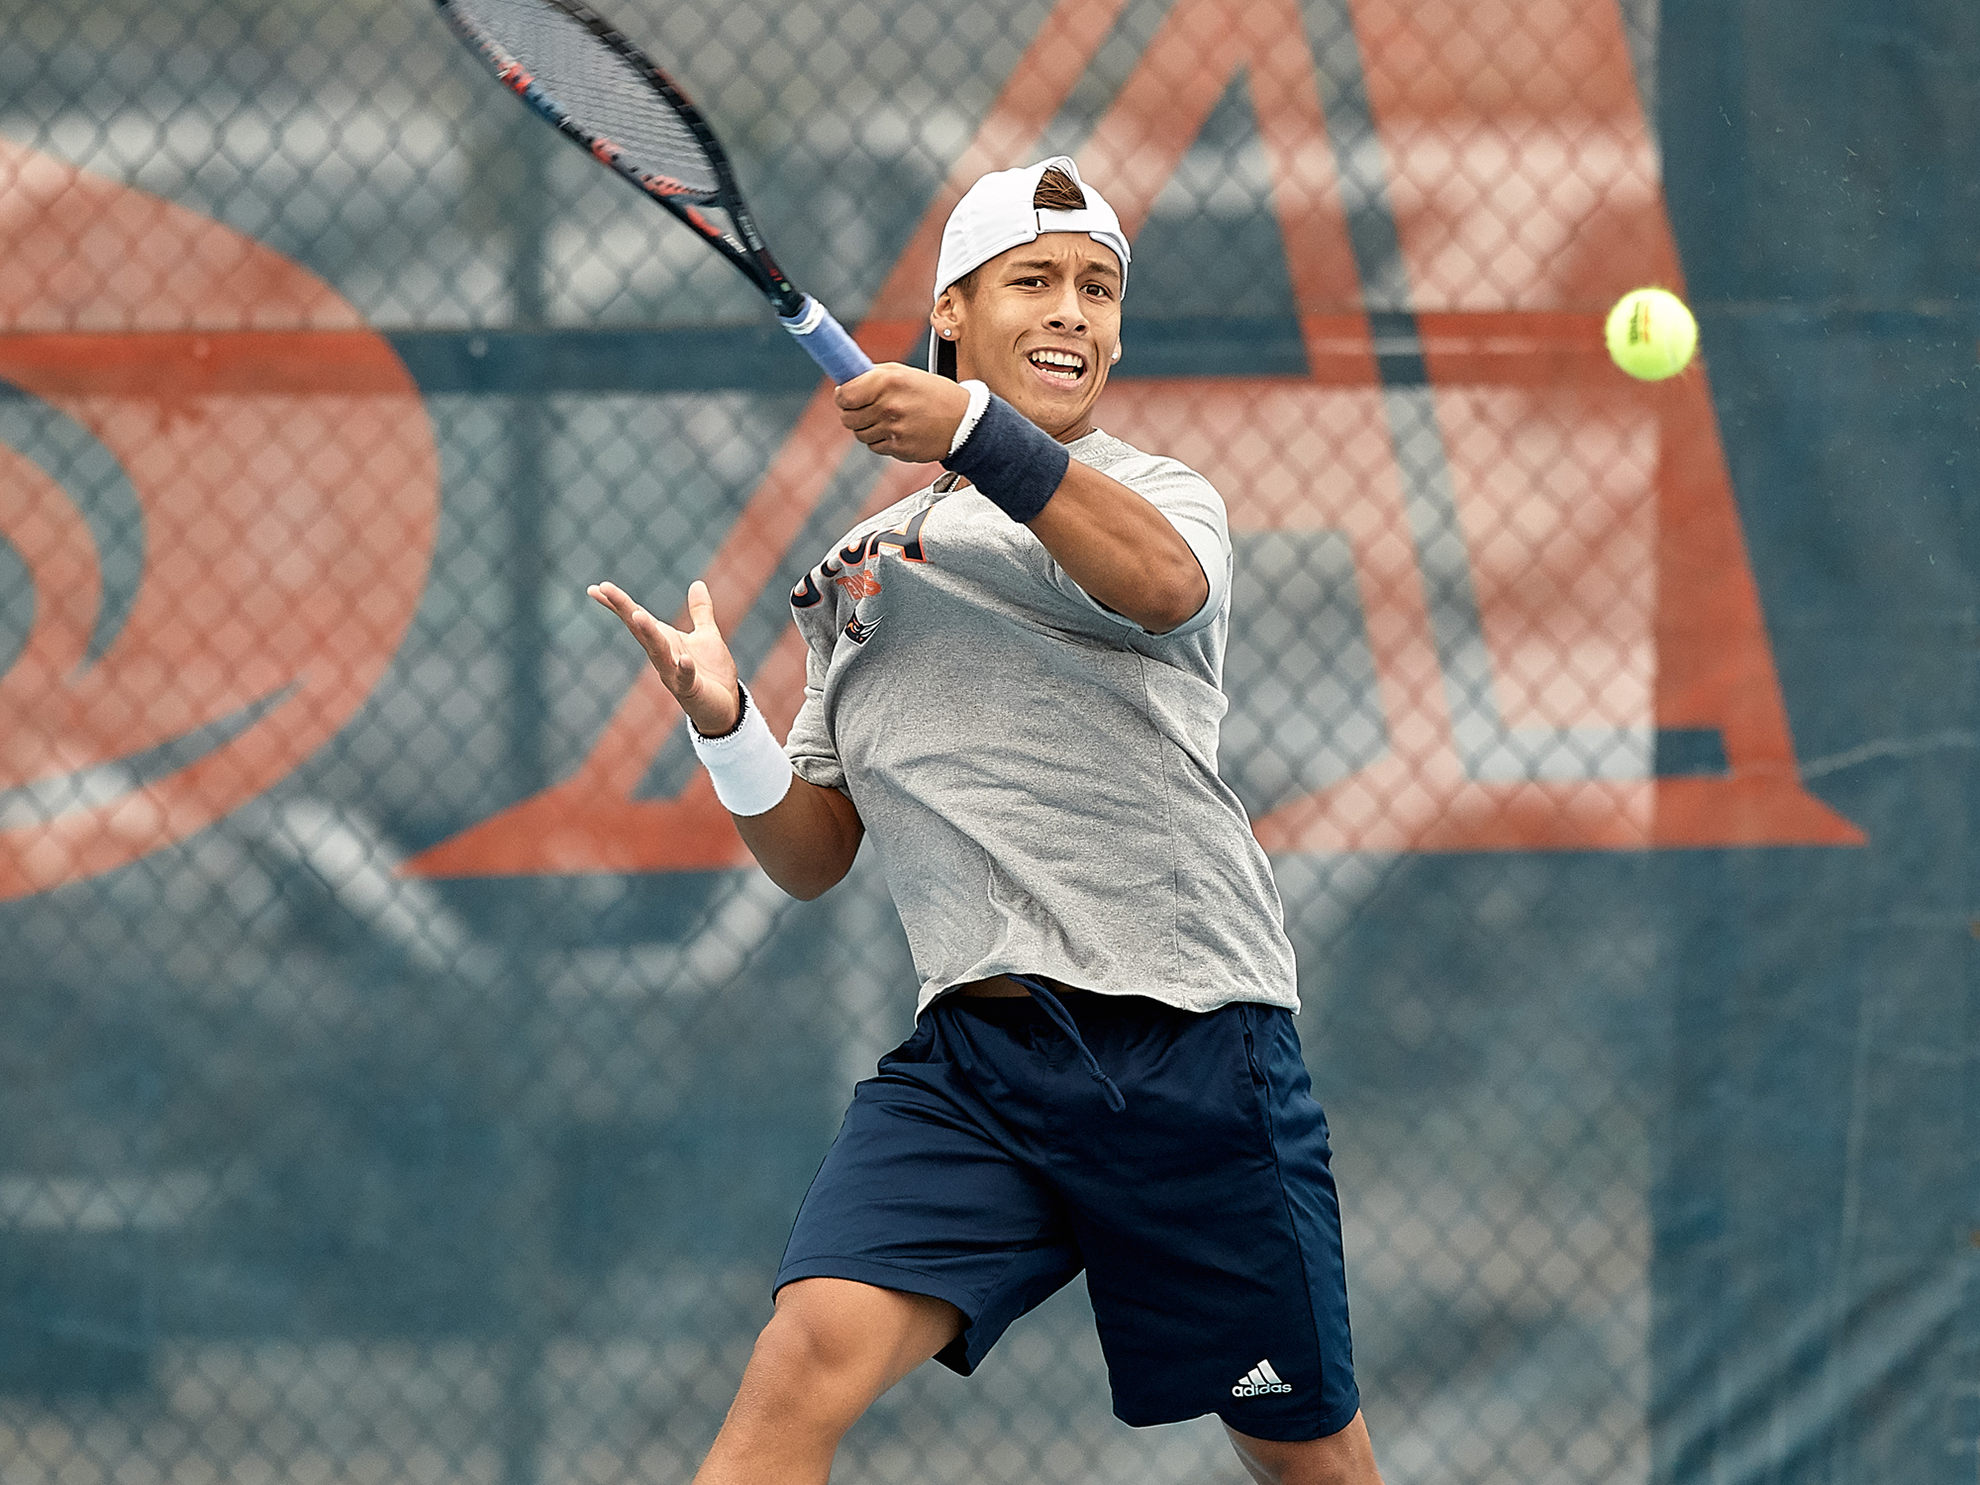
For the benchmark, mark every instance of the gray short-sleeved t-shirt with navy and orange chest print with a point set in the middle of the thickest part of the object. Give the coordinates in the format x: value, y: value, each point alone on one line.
x: 1040, y: 775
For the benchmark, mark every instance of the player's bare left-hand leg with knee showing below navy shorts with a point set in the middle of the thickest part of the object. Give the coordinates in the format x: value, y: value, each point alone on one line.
x: 825, y: 1357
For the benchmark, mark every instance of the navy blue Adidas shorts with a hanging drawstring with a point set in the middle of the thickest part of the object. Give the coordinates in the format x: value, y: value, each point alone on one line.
x: 983, y: 1165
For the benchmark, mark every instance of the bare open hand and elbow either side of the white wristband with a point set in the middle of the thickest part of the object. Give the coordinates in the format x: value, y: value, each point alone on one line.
x: 807, y: 841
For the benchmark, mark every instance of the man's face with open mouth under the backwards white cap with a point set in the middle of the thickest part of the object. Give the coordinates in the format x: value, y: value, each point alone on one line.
x: 1040, y: 328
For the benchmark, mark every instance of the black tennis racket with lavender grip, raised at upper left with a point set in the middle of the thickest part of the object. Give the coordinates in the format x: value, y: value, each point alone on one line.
x: 603, y: 94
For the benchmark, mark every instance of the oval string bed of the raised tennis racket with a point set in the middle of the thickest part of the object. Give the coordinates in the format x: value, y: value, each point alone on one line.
x: 603, y: 92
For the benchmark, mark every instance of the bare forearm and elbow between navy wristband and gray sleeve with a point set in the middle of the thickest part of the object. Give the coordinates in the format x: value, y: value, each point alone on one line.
x: 1122, y: 551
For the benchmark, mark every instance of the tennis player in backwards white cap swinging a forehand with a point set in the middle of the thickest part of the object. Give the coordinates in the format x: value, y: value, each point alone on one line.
x: 1015, y: 688
